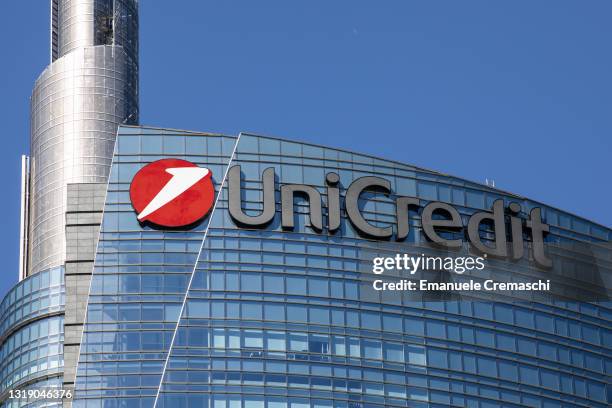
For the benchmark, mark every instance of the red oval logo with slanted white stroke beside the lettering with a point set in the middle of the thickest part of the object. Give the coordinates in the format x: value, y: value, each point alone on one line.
x: 172, y: 193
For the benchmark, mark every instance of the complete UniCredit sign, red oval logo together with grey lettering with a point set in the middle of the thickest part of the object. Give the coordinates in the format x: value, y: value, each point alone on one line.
x: 177, y: 193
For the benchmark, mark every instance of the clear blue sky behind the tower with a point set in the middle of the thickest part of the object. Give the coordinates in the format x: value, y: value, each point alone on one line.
x: 462, y: 87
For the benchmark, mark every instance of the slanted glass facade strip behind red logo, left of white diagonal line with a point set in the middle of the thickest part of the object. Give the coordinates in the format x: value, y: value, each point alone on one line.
x: 140, y: 275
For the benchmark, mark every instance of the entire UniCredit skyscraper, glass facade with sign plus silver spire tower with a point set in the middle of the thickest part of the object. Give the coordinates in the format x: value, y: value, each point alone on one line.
x: 267, y: 298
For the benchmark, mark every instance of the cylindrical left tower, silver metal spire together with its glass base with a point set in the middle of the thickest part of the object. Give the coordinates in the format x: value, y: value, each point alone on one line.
x: 87, y: 91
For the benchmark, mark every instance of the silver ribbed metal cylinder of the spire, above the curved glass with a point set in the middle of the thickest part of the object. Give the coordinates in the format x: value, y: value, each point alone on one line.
x: 77, y: 104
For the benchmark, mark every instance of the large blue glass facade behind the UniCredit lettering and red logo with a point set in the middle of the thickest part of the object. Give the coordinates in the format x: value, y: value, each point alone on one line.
x: 223, y: 316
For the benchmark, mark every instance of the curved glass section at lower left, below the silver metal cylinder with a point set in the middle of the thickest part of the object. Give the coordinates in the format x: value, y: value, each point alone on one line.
x: 32, y: 335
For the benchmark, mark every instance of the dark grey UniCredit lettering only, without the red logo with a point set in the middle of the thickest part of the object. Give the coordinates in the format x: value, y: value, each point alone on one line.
x: 436, y: 217
